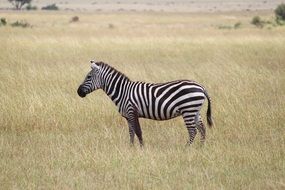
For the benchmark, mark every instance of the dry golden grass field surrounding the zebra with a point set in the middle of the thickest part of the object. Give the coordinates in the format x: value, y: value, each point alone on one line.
x: 50, y: 138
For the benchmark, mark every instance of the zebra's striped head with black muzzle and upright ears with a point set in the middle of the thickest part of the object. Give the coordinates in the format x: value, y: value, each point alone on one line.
x: 92, y: 80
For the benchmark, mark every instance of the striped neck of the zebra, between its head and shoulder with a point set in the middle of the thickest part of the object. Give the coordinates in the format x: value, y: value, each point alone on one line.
x: 117, y: 87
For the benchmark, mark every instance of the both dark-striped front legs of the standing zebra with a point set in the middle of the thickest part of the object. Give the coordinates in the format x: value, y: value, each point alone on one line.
x: 134, y: 127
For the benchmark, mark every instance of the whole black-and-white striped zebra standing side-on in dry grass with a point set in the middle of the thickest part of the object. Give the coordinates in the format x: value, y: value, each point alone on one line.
x: 157, y: 101
